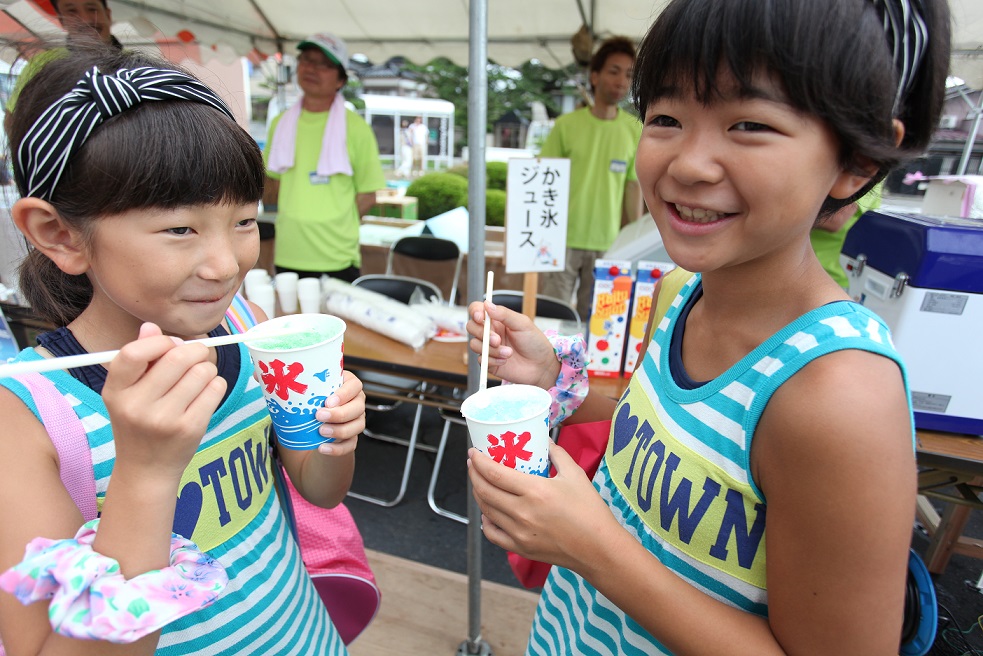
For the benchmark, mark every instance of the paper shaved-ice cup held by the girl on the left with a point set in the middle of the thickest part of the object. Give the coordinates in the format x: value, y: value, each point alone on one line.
x: 298, y: 373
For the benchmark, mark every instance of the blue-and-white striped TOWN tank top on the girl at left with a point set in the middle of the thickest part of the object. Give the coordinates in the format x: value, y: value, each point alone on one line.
x: 228, y: 506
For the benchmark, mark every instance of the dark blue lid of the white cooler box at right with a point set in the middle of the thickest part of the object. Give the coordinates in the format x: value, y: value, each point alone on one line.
x: 942, y: 253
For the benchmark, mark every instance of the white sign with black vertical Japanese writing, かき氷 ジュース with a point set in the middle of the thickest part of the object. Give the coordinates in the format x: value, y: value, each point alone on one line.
x: 536, y: 216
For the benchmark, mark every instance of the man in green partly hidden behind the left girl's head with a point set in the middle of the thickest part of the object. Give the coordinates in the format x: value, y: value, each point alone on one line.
x: 84, y: 21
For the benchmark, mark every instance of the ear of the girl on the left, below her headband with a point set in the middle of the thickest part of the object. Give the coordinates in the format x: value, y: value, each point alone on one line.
x: 40, y: 222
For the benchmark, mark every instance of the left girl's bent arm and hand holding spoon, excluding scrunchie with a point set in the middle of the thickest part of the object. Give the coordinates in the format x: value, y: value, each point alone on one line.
x: 160, y: 398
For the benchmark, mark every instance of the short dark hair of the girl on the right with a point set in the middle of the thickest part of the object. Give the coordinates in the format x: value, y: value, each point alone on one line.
x: 830, y: 57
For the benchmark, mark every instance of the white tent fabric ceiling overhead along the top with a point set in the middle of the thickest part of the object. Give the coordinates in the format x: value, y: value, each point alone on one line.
x: 518, y: 30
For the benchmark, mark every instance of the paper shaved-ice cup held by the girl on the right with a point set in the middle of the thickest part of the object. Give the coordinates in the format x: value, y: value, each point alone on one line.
x: 510, y: 424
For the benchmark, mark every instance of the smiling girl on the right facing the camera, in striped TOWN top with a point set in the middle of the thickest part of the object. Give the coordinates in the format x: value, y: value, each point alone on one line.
x: 758, y: 490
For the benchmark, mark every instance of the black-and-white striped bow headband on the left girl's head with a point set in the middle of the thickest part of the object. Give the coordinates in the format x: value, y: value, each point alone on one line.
x: 61, y: 130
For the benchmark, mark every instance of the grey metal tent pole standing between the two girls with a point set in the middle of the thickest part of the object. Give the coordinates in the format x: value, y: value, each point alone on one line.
x: 477, y: 121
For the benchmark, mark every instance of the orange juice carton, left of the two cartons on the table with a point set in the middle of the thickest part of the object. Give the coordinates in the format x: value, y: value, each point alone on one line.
x: 608, y: 323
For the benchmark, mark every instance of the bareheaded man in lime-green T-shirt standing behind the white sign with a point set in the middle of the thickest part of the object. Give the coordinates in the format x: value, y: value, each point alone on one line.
x: 600, y: 141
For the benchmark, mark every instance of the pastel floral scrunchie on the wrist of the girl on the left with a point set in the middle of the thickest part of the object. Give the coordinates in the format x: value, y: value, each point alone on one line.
x: 92, y: 600
